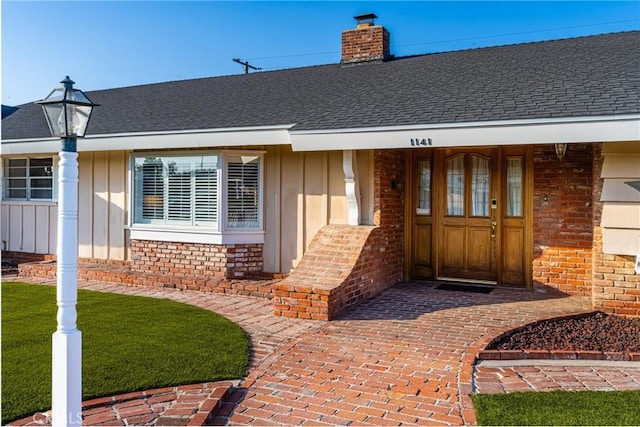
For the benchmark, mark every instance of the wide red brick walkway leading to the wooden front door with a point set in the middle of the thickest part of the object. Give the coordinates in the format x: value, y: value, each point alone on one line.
x: 403, y: 357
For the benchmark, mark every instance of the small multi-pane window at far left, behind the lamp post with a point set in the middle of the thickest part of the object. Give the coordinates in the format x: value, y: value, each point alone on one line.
x: 29, y: 179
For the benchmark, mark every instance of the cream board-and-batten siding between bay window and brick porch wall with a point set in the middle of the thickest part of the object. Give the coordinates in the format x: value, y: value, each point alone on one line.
x: 305, y: 191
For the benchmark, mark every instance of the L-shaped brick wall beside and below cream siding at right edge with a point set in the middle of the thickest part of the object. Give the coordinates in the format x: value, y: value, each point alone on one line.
x: 616, y: 286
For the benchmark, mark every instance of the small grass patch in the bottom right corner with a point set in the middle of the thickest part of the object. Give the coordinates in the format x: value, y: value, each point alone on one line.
x: 583, y: 408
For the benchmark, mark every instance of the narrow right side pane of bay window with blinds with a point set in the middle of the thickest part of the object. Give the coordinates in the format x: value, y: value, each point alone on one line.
x: 243, y: 192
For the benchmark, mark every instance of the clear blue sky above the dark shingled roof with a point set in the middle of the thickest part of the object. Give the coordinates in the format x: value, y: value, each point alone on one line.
x: 110, y: 44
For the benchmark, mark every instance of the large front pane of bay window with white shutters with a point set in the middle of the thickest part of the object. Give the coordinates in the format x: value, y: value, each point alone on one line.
x: 176, y: 190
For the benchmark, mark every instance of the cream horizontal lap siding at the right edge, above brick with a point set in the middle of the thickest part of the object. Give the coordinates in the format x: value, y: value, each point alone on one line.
x: 621, y: 210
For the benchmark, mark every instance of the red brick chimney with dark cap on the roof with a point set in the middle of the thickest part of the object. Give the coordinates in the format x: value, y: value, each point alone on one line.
x: 367, y: 42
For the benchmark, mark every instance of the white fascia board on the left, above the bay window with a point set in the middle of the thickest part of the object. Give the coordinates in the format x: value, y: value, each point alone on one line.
x: 205, y: 138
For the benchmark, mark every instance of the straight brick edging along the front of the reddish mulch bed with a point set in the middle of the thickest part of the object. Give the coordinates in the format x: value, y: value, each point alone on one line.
x: 557, y: 355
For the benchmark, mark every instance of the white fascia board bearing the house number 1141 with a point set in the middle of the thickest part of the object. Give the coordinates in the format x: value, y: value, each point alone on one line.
x: 506, y: 132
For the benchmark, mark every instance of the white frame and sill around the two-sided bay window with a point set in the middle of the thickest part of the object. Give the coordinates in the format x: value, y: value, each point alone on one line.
x: 219, y: 233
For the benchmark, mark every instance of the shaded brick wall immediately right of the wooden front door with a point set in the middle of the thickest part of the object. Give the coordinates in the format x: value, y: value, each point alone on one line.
x: 563, y: 219
